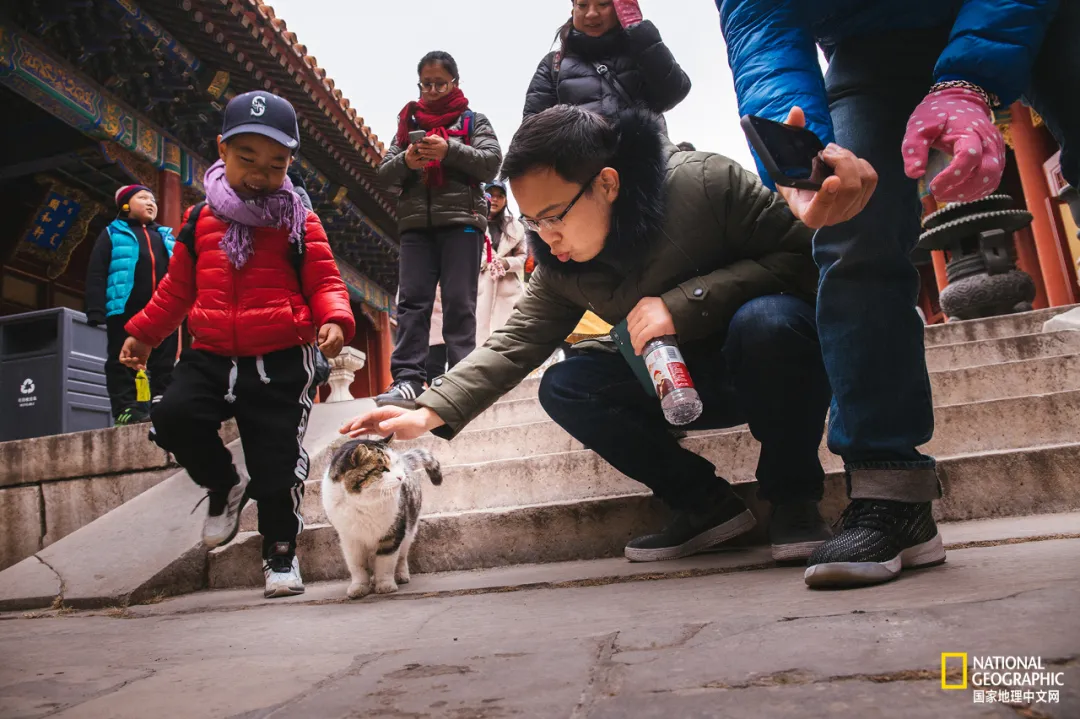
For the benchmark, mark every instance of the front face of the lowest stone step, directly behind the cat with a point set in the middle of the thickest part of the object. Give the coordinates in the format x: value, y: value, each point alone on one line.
x: 1012, y: 483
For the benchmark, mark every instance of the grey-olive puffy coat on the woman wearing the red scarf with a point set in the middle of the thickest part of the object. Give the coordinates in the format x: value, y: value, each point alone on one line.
x: 461, y: 200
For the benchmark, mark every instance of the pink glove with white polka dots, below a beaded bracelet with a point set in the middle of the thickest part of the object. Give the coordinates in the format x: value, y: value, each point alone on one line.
x: 956, y: 121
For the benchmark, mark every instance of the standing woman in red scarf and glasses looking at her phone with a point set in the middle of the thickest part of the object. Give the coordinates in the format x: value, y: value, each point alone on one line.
x: 442, y: 218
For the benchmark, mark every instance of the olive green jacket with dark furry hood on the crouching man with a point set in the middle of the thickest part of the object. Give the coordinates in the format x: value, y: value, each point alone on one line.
x: 693, y: 228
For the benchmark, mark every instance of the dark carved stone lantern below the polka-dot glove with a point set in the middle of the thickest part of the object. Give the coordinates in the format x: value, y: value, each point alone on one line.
x: 983, y: 279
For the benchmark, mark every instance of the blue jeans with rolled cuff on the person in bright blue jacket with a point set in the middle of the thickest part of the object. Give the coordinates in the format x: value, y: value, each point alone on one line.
x: 872, y: 337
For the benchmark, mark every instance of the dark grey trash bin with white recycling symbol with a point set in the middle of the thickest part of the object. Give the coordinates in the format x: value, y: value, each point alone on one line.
x: 52, y: 375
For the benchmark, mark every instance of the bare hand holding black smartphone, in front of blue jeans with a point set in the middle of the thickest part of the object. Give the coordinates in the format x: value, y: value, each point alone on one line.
x: 839, y: 197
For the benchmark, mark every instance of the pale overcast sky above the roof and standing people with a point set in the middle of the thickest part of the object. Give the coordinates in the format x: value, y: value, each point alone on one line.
x: 371, y: 49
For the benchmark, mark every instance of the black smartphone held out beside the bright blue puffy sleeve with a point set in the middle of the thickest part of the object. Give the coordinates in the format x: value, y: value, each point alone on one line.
x: 792, y: 156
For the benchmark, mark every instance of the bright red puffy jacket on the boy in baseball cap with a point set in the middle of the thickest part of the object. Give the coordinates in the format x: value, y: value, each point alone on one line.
x: 259, y: 309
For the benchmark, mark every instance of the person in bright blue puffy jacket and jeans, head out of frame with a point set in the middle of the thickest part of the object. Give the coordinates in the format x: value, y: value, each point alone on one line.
x: 903, y: 78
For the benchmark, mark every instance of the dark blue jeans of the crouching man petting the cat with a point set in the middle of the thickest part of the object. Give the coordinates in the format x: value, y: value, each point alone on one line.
x: 767, y: 371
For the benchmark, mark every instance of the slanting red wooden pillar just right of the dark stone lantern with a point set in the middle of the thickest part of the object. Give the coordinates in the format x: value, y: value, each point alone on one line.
x: 1033, y: 148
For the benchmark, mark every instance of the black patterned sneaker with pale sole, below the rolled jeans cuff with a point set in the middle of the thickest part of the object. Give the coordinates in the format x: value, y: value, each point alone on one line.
x: 880, y: 538
